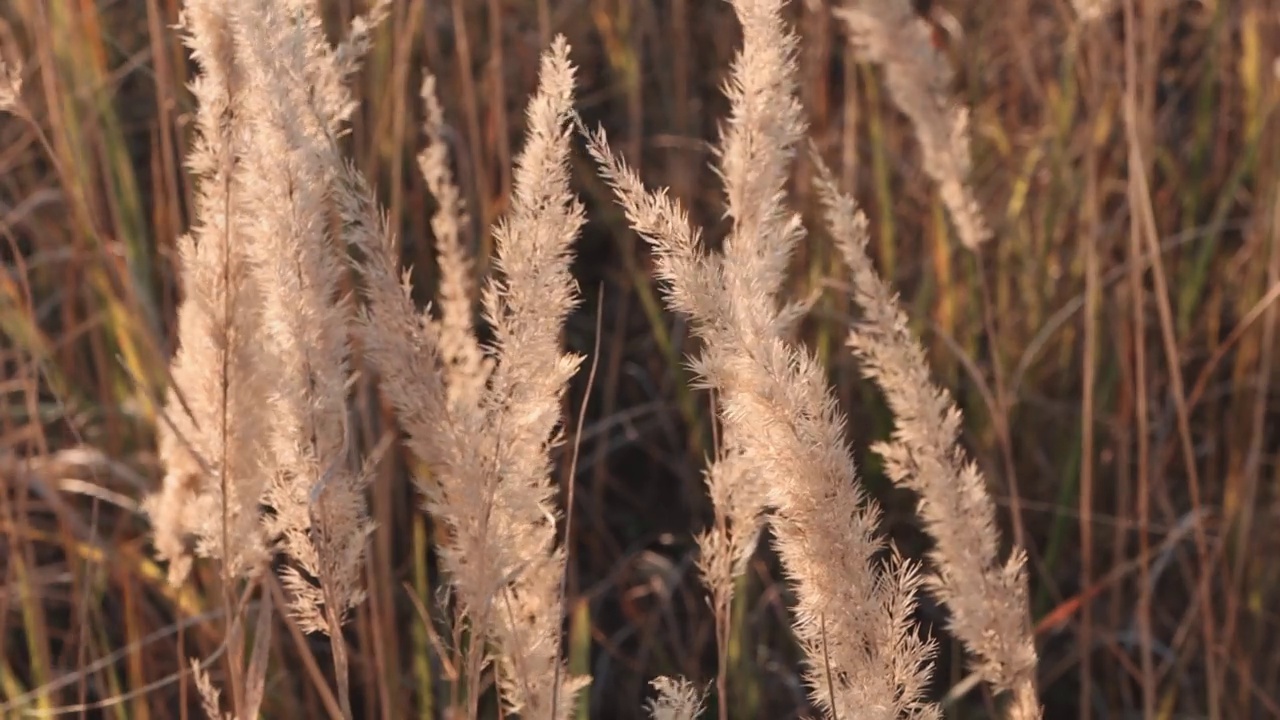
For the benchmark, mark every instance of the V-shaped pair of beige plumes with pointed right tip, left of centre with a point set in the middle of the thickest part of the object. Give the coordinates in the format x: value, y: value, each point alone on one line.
x: 490, y: 457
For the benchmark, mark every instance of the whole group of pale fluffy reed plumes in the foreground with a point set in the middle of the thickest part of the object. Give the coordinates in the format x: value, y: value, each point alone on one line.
x: 264, y: 475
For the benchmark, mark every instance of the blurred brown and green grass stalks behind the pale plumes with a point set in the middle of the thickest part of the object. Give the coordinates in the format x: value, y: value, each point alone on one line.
x: 1114, y: 348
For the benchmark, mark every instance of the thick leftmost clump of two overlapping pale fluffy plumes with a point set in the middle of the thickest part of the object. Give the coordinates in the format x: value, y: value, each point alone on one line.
x: 266, y: 320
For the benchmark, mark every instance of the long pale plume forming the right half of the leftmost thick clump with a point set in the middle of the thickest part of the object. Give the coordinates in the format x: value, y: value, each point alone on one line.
x: 316, y: 486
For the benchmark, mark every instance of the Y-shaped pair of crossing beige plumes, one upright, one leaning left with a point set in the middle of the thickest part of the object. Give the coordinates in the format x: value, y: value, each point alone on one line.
x: 854, y: 613
